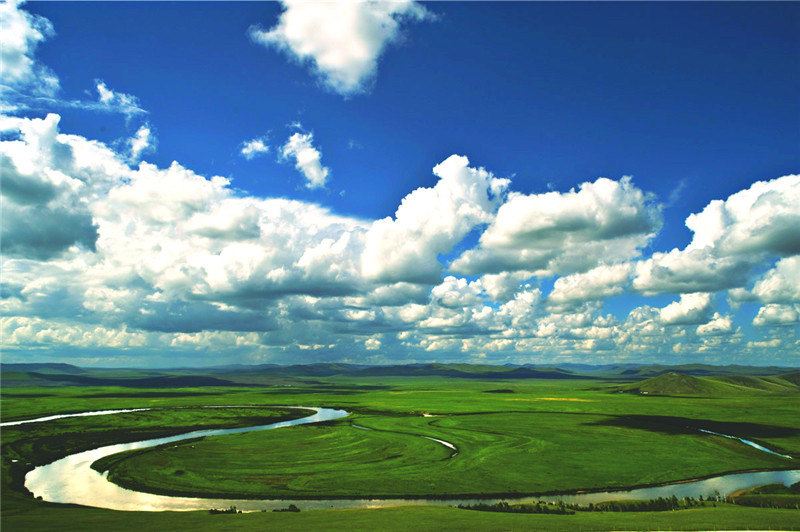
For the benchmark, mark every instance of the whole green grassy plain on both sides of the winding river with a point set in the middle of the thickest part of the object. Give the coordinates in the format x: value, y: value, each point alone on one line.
x: 513, y: 436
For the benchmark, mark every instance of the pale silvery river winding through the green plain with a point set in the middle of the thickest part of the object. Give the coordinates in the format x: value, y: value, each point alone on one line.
x: 72, y: 480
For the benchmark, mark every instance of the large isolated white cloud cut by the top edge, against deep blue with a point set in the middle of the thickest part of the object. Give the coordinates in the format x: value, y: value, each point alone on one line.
x: 341, y: 40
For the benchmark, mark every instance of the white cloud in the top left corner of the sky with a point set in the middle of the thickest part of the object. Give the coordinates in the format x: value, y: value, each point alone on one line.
x: 22, y: 33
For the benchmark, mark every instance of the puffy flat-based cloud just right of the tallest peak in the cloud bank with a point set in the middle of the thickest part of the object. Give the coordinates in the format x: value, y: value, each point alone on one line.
x: 556, y: 233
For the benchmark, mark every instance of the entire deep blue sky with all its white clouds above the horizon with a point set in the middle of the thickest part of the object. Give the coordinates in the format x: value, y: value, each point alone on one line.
x: 195, y: 184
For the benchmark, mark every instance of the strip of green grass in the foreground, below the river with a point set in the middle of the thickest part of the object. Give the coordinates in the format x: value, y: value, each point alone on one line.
x: 723, y: 517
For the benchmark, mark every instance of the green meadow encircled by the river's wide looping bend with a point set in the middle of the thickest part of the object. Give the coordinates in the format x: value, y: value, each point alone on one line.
x: 499, y: 454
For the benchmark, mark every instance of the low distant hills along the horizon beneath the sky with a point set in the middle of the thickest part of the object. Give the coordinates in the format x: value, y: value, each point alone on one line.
x: 52, y: 374
